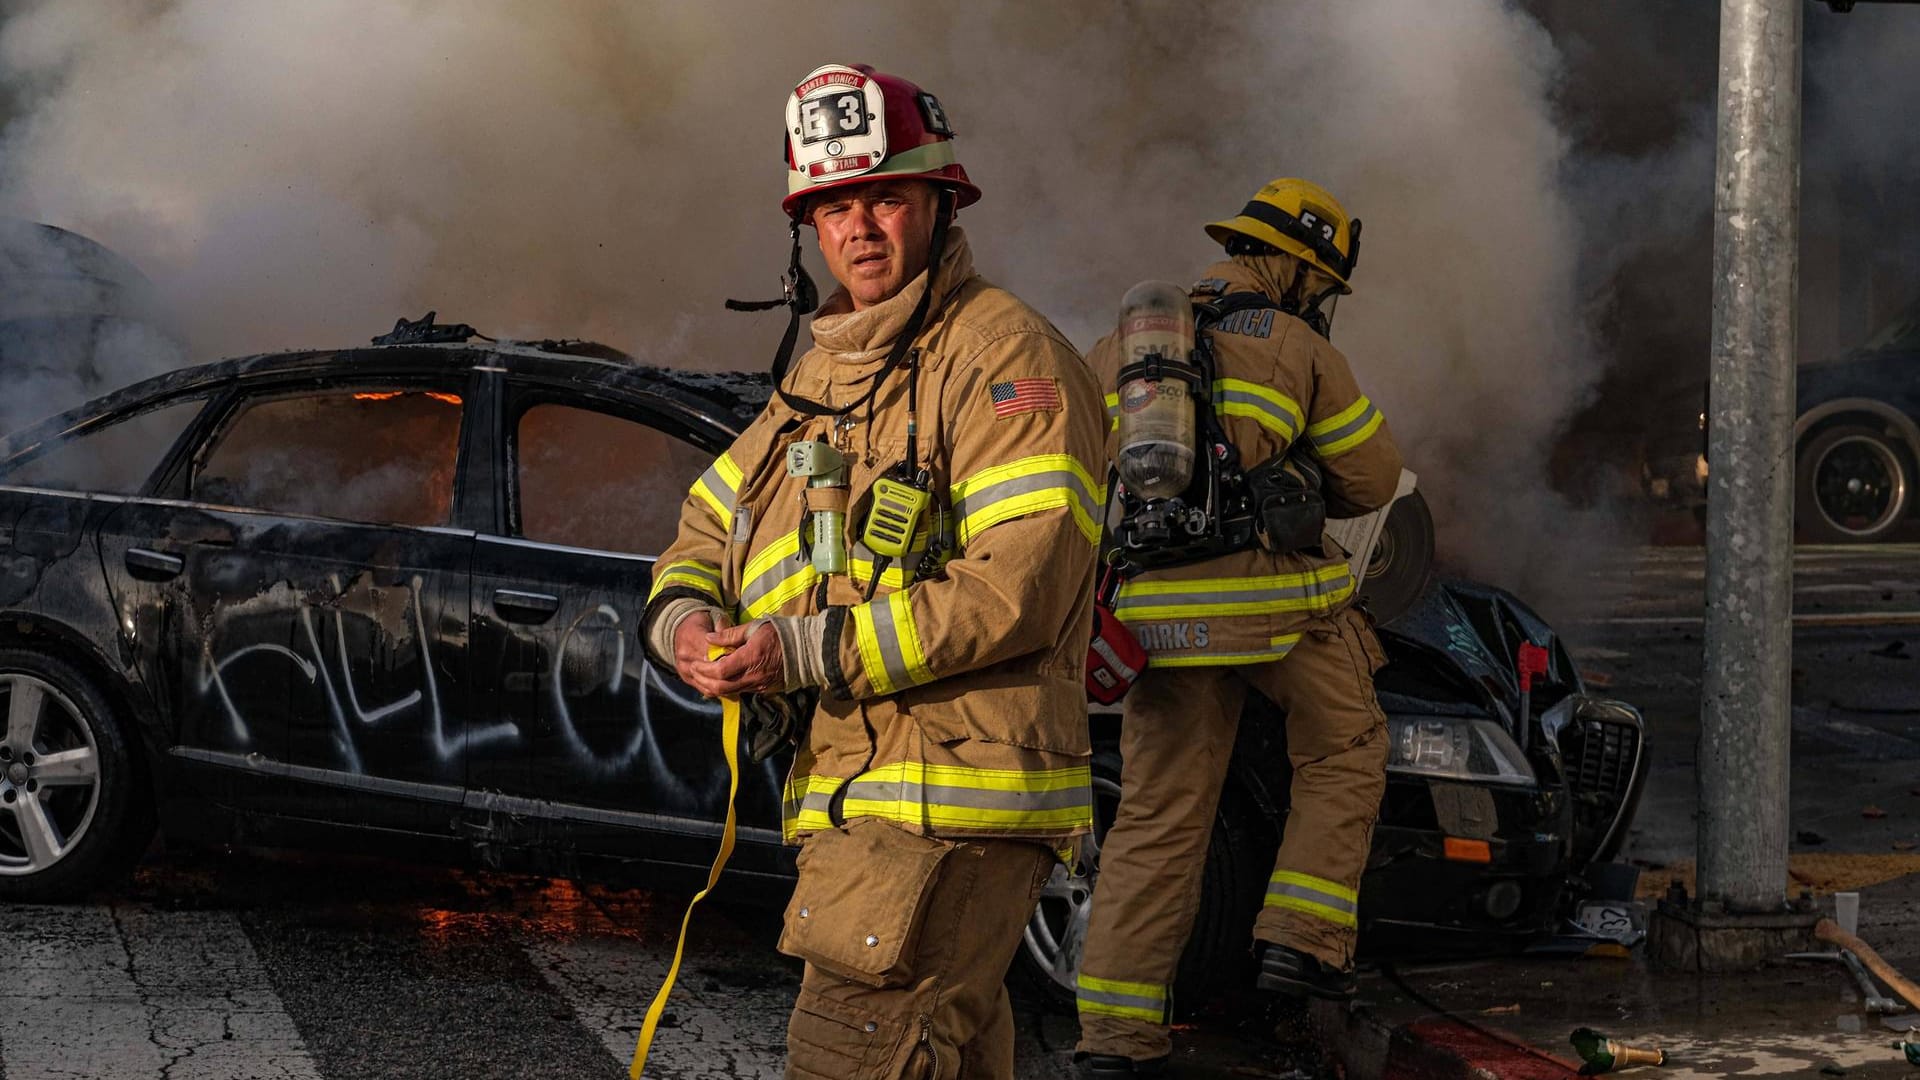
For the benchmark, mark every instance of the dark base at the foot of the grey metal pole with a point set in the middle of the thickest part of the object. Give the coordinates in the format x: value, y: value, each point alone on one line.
x: 1704, y: 937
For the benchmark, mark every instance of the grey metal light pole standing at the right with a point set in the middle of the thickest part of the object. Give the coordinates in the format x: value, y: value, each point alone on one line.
x: 1750, y: 503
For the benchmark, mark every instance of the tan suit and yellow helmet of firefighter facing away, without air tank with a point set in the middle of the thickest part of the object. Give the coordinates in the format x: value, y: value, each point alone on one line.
x: 1278, y: 624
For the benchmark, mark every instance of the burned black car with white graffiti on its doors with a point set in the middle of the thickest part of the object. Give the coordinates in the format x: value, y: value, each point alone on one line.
x: 387, y: 599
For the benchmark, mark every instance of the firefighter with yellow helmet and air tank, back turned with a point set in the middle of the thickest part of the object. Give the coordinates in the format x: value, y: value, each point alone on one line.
x: 1236, y: 428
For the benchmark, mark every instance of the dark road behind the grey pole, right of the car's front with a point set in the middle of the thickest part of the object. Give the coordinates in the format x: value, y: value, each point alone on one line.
x: 1856, y: 693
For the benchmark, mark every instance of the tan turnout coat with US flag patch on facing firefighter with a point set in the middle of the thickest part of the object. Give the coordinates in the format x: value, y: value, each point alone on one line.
x: 955, y: 700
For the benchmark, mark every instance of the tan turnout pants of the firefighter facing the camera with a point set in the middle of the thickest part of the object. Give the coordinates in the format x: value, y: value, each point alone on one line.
x: 940, y: 1010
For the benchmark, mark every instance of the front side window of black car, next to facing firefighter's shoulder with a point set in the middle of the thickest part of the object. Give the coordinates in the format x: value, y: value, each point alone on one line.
x: 590, y: 479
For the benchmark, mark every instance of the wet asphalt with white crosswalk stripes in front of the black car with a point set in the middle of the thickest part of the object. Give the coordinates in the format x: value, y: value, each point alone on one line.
x: 304, y: 968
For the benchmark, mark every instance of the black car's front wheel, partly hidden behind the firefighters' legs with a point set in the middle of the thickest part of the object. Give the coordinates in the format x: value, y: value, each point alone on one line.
x: 1220, y: 946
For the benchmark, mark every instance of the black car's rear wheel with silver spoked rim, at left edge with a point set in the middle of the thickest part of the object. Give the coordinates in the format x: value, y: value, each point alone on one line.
x: 76, y: 808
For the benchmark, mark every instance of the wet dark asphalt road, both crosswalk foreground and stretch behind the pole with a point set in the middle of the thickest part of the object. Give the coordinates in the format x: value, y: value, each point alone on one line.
x: 239, y: 966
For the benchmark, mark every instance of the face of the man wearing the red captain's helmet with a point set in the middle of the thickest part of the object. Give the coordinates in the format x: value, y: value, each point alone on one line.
x: 876, y: 237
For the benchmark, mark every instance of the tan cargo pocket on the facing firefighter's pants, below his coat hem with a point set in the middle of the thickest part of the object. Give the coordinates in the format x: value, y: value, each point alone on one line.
x: 861, y: 898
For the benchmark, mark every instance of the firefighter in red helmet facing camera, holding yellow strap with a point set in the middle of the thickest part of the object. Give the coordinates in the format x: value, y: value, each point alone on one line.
x: 907, y: 529
